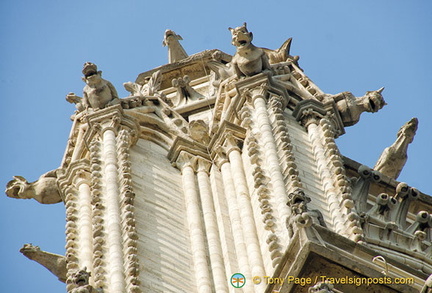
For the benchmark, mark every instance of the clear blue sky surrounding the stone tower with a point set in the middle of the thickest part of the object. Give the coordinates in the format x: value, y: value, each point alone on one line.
x: 351, y: 46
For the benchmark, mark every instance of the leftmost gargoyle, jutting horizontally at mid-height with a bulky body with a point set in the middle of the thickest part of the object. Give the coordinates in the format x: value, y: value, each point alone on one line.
x: 44, y: 190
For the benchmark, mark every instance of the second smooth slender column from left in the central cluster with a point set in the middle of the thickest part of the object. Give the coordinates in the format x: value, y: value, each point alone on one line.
x: 211, y: 226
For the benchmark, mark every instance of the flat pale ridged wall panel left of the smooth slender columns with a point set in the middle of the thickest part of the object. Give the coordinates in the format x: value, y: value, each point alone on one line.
x: 163, y: 245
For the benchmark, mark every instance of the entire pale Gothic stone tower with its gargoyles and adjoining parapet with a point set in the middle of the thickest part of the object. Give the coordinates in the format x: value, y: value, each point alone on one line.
x: 217, y: 165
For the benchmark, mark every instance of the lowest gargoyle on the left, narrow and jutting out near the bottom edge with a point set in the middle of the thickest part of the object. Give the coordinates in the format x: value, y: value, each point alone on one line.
x: 55, y: 263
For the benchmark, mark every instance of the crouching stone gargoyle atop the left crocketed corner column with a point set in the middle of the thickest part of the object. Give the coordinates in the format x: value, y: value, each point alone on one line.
x: 98, y: 93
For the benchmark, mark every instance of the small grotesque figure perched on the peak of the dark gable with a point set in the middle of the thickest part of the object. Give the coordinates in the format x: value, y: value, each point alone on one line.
x: 300, y: 215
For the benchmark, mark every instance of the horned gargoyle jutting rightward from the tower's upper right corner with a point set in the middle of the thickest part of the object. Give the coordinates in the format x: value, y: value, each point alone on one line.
x: 350, y: 107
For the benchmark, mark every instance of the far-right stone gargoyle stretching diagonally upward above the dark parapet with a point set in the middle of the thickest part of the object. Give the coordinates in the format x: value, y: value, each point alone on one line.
x: 393, y: 158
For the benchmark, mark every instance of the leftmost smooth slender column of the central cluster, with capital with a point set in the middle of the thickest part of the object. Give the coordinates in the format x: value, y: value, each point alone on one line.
x: 185, y: 162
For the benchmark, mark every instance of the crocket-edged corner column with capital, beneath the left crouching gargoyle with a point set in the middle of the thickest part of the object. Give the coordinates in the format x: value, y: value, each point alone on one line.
x: 106, y: 148
